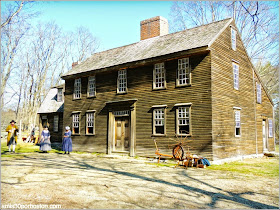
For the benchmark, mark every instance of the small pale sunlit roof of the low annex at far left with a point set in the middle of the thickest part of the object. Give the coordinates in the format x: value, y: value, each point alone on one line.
x: 50, y: 103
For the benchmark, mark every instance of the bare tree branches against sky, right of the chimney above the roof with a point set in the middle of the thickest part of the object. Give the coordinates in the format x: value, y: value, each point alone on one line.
x: 256, y: 22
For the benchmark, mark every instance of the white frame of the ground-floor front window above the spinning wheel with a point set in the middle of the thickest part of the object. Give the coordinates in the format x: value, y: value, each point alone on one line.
x: 183, y: 118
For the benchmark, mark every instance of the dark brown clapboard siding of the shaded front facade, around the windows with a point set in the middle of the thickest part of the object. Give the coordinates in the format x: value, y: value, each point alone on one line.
x: 140, y: 84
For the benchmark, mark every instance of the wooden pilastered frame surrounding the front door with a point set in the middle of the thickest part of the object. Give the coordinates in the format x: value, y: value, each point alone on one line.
x: 132, y: 126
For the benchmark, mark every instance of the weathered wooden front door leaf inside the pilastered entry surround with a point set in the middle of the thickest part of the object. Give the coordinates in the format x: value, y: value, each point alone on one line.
x: 122, y: 134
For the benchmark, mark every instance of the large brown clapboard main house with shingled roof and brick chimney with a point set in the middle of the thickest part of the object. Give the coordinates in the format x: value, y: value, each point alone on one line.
x: 198, y: 83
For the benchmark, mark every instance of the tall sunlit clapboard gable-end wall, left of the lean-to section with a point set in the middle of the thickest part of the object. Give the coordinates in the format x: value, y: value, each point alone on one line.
x: 225, y: 97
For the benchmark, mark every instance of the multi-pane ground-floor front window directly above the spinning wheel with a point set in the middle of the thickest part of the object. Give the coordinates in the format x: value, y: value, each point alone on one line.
x: 183, y: 120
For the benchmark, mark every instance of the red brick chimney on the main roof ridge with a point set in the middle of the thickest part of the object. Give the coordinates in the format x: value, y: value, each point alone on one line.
x: 156, y: 26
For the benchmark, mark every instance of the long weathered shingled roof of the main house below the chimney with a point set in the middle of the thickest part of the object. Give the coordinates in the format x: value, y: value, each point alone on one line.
x: 153, y: 47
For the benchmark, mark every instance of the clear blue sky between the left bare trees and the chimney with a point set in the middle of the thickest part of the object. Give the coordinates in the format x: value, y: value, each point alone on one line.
x: 114, y: 23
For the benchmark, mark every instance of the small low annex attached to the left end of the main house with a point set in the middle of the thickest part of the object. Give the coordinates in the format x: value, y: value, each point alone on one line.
x: 51, y: 113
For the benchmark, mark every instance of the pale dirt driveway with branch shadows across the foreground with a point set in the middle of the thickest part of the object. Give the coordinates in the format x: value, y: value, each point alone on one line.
x: 88, y: 181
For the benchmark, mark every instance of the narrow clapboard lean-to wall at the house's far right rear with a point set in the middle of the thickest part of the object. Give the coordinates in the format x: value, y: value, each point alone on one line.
x: 263, y: 112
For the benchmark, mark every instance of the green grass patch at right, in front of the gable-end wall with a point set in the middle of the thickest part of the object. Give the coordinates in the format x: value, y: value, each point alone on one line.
x: 265, y: 167
